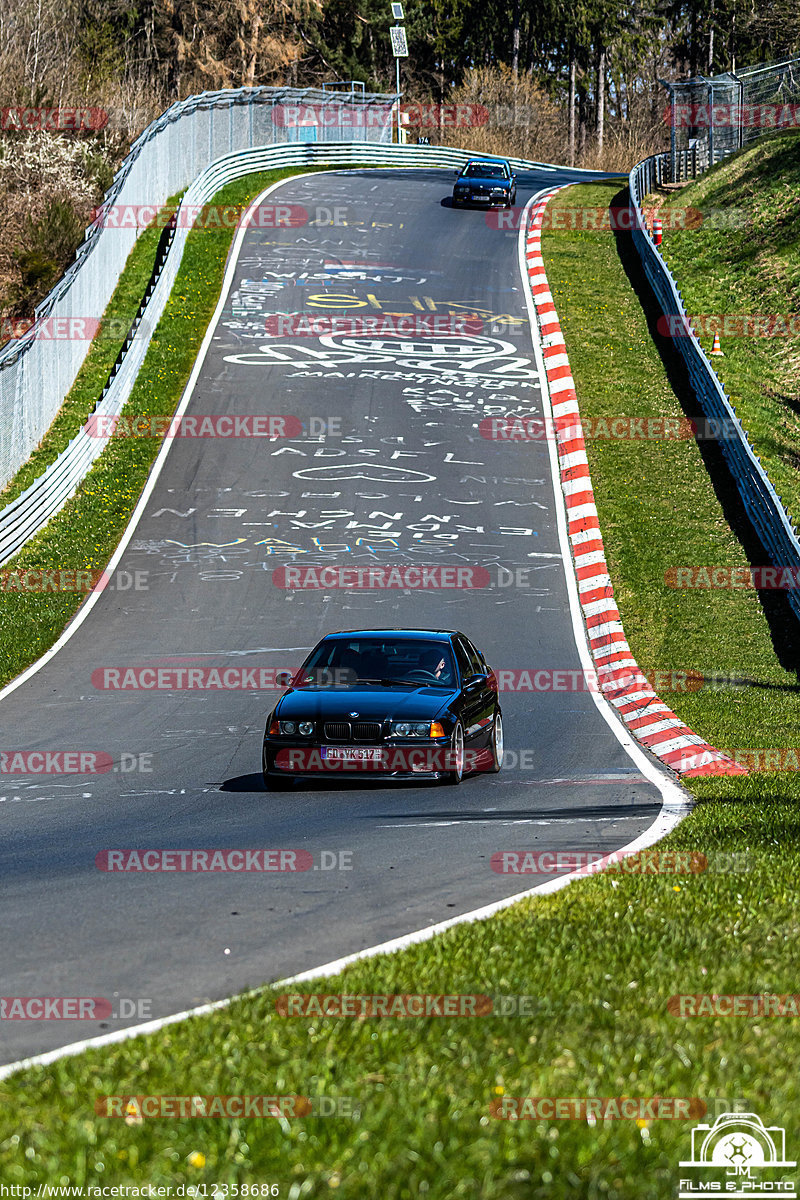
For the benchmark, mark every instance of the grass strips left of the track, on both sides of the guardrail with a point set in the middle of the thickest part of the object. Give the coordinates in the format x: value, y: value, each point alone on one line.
x: 88, y: 530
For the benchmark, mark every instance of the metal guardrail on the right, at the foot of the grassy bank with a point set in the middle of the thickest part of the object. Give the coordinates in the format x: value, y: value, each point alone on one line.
x: 760, y: 499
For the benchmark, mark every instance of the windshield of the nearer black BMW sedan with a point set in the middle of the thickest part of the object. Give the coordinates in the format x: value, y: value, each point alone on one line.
x: 345, y: 662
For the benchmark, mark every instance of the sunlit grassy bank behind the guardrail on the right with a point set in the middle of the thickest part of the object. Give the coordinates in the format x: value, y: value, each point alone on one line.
x: 751, y: 266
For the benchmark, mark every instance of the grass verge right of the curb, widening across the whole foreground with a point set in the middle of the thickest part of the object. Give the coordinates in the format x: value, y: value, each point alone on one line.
x: 601, y: 958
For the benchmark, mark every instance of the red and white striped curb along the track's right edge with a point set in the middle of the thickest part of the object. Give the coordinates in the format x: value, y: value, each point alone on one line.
x: 653, y: 723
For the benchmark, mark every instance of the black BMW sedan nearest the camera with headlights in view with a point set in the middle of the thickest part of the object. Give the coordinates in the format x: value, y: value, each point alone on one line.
x: 390, y: 704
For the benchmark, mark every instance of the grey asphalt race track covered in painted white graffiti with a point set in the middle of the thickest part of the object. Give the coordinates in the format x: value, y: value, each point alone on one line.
x: 401, y: 475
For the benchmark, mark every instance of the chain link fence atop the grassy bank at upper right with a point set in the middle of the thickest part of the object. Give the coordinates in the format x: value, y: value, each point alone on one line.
x: 712, y: 118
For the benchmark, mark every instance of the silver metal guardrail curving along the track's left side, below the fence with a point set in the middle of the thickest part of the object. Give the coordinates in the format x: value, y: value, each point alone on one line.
x: 21, y: 520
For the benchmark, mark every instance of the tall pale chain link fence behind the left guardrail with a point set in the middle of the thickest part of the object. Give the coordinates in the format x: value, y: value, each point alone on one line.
x: 38, y: 370
